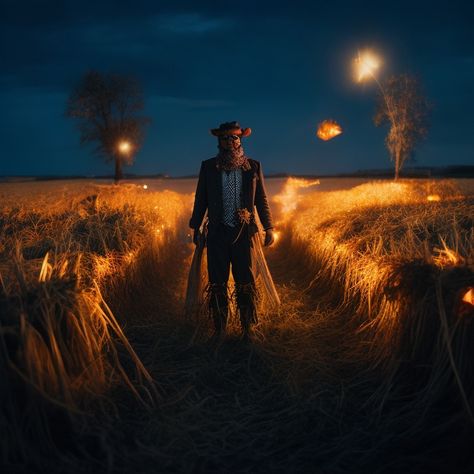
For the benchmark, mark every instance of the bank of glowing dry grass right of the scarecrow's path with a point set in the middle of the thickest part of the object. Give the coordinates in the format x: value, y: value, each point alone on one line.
x: 400, y: 265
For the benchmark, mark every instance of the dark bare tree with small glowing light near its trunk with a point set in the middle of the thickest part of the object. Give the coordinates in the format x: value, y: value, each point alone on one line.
x: 106, y: 107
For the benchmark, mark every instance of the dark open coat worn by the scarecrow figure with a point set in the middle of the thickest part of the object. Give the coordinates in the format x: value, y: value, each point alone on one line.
x: 209, y: 195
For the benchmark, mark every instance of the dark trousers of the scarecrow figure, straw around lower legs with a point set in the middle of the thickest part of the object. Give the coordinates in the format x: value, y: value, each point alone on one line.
x: 226, y: 249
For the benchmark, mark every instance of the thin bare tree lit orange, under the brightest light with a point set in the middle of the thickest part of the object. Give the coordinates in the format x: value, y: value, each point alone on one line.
x: 401, y: 104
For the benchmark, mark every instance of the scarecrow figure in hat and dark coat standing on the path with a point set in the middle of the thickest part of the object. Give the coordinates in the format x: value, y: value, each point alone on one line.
x: 229, y: 188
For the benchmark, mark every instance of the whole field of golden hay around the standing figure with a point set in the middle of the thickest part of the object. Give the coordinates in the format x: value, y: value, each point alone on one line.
x: 365, y: 367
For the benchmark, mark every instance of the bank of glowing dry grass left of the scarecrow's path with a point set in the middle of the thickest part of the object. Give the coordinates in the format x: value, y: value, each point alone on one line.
x: 62, y: 347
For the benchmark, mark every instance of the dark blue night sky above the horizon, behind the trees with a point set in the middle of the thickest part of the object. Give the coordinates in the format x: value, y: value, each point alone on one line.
x: 277, y: 67
